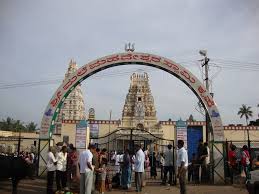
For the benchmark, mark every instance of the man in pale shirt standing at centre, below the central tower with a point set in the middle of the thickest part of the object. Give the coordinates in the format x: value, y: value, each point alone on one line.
x: 139, y: 168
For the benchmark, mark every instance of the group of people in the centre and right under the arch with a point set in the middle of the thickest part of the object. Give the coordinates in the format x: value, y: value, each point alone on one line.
x: 142, y: 162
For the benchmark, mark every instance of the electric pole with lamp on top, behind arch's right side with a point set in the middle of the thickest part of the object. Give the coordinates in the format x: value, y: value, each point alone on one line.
x: 205, y: 64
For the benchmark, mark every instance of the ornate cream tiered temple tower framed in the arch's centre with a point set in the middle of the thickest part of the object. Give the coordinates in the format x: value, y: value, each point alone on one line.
x: 139, y: 105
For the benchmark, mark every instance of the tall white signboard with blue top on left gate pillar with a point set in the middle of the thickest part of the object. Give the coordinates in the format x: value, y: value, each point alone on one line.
x: 81, y: 134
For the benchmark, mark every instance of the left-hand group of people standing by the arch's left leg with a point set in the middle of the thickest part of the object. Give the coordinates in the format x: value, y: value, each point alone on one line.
x: 88, y: 168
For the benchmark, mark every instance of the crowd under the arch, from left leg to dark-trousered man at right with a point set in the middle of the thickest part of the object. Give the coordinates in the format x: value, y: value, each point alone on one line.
x: 90, y: 168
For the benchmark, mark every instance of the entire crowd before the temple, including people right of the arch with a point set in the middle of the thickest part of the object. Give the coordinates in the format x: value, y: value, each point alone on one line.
x: 90, y: 170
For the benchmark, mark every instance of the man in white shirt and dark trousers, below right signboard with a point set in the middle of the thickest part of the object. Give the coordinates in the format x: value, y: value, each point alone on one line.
x: 182, y: 165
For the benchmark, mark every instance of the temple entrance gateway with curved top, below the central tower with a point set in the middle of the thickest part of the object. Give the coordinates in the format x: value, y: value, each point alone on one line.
x: 128, y: 138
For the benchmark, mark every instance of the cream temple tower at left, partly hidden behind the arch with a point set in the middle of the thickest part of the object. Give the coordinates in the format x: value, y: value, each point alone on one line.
x: 73, y: 108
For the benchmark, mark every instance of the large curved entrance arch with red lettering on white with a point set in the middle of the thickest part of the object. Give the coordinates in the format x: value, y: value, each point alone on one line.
x: 129, y: 58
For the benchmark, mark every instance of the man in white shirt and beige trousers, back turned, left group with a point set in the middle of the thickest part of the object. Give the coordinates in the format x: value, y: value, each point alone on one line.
x: 86, y: 170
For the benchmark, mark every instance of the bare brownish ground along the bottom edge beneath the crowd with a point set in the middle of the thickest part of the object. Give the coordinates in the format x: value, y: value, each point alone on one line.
x: 38, y: 186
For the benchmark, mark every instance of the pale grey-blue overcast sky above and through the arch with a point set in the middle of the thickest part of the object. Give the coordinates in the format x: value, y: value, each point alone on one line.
x: 38, y: 39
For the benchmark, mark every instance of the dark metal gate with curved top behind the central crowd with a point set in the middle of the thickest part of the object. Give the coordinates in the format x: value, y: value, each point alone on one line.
x: 129, y: 137
